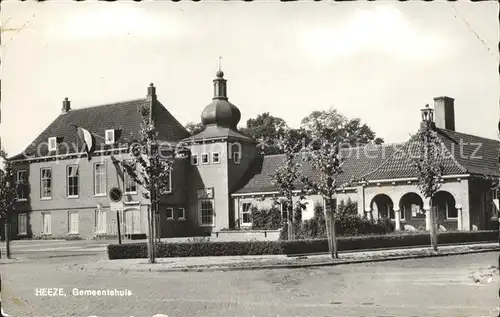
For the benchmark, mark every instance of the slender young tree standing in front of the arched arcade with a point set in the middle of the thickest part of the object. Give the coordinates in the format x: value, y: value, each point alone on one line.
x: 428, y: 164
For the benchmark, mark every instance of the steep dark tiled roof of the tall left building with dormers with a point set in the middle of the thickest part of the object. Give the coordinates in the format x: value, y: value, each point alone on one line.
x: 124, y: 117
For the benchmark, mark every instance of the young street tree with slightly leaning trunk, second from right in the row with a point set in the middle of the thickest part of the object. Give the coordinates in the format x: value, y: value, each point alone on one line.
x: 325, y: 158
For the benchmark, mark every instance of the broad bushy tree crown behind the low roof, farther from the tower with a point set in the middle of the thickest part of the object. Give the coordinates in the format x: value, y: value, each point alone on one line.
x: 334, y: 126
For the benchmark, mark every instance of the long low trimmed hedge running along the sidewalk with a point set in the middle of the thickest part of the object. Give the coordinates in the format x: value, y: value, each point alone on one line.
x: 183, y: 249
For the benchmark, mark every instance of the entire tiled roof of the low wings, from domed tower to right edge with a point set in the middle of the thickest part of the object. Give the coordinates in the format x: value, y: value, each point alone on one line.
x: 463, y: 154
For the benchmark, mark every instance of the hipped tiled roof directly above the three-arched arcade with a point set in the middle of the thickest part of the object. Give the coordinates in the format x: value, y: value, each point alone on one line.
x: 462, y: 154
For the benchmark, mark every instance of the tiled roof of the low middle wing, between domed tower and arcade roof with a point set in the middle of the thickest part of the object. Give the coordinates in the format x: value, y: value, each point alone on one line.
x: 357, y: 162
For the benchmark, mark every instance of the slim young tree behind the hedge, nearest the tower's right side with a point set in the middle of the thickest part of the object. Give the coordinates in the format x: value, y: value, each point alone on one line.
x: 286, y: 177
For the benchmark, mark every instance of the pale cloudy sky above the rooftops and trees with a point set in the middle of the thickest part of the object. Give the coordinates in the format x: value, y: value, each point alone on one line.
x: 377, y: 61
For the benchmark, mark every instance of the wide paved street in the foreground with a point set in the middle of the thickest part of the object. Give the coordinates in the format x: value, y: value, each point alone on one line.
x: 464, y: 285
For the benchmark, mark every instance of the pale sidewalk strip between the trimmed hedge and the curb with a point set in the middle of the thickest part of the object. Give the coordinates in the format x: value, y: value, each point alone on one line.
x: 224, y: 263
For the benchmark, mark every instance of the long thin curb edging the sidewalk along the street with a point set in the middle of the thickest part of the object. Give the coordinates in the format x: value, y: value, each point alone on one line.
x: 297, y: 266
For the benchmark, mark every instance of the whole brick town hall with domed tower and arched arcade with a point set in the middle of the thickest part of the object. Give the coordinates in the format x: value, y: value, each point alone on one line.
x: 224, y: 175
